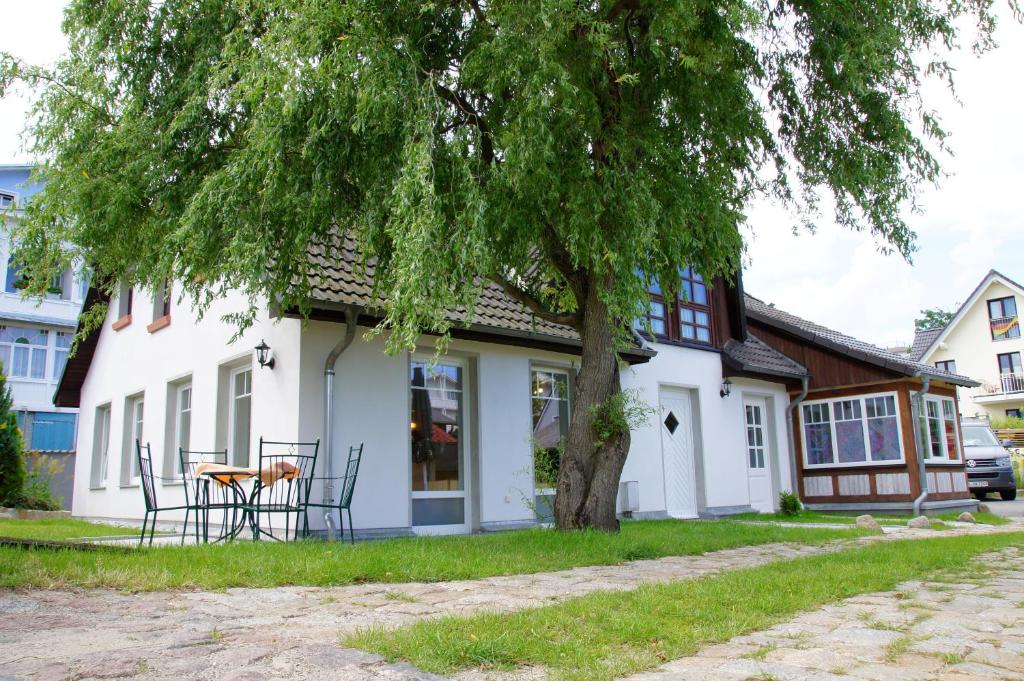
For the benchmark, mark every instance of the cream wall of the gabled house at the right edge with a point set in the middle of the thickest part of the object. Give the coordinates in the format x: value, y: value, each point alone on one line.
x: 970, y: 345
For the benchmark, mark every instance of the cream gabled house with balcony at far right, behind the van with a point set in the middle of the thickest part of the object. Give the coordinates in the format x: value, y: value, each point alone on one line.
x: 984, y: 342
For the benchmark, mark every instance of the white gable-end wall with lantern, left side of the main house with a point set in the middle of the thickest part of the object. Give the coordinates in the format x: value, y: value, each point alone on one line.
x: 134, y: 361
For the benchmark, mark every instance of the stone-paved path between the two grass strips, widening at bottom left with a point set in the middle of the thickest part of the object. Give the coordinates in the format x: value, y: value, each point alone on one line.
x: 293, y: 632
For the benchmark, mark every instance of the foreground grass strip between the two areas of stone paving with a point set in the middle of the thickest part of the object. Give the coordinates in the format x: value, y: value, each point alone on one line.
x: 608, y: 635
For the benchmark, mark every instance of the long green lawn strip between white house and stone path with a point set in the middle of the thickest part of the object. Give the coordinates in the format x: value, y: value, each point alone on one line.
x: 411, y: 560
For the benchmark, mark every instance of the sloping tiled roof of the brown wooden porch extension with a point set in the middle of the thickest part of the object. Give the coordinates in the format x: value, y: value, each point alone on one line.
x: 772, y: 316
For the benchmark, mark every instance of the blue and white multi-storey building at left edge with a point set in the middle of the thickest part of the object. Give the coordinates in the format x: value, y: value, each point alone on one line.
x: 35, y: 339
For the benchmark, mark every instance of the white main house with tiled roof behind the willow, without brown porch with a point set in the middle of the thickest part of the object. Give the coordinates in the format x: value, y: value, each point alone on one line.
x: 467, y: 445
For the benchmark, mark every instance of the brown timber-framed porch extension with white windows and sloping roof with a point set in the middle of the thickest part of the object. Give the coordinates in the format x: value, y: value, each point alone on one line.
x: 855, y: 430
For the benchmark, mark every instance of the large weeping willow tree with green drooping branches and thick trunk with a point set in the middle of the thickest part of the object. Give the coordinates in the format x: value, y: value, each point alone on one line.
x: 569, y: 151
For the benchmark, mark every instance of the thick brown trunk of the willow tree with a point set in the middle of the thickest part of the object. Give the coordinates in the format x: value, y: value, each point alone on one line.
x: 588, y: 480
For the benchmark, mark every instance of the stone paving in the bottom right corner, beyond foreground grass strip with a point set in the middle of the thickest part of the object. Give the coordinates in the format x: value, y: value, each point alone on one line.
x: 959, y: 630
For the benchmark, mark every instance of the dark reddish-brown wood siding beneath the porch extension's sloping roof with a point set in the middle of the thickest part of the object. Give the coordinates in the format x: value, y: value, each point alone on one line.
x: 827, y: 368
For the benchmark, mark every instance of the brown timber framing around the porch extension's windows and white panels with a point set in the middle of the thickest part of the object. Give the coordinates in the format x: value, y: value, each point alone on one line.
x: 904, y: 390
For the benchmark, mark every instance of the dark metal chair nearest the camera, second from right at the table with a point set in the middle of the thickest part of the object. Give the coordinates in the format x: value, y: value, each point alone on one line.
x: 283, y: 484
